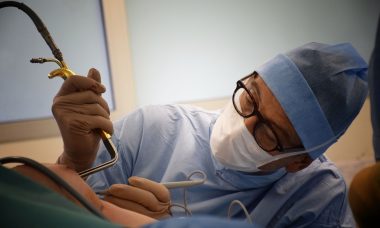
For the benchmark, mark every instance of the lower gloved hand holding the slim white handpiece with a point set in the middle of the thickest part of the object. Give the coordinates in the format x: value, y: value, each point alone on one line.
x: 141, y: 195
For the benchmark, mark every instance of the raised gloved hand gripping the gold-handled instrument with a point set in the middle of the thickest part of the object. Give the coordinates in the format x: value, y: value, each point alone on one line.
x: 80, y: 112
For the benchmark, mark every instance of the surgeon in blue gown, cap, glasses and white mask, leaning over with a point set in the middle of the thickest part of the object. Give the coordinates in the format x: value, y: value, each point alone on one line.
x: 263, y: 150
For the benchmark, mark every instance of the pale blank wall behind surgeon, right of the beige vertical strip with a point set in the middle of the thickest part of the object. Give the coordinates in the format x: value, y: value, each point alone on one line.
x: 193, y: 50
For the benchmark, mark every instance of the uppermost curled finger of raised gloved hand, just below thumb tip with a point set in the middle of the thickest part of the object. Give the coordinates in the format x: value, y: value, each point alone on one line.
x: 78, y: 83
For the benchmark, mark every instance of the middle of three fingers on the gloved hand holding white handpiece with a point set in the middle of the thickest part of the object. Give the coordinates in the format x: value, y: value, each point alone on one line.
x: 137, y: 195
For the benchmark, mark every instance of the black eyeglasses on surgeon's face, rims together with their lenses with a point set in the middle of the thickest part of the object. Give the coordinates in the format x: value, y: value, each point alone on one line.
x: 245, y: 104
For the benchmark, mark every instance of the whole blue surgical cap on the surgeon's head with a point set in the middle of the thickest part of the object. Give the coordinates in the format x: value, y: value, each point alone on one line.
x: 321, y: 88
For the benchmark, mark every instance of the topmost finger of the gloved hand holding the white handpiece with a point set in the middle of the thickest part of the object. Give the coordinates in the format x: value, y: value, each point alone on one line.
x: 158, y: 189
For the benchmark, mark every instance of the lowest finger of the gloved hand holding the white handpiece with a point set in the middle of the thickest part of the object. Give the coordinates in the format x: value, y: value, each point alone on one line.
x: 133, y: 206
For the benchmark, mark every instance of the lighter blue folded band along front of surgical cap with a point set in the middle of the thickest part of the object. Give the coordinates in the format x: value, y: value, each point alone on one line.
x: 300, y: 104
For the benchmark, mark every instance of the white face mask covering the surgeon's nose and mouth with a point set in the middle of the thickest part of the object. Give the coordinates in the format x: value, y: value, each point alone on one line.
x: 235, y: 147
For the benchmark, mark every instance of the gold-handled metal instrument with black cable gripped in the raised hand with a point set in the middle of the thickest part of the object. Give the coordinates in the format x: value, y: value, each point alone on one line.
x: 64, y: 72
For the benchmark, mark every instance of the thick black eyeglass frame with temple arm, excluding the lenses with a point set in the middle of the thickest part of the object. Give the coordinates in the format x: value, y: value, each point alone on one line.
x: 240, y: 84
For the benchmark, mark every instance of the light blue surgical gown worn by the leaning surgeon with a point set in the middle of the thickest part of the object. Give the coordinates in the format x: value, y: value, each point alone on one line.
x: 168, y: 143
